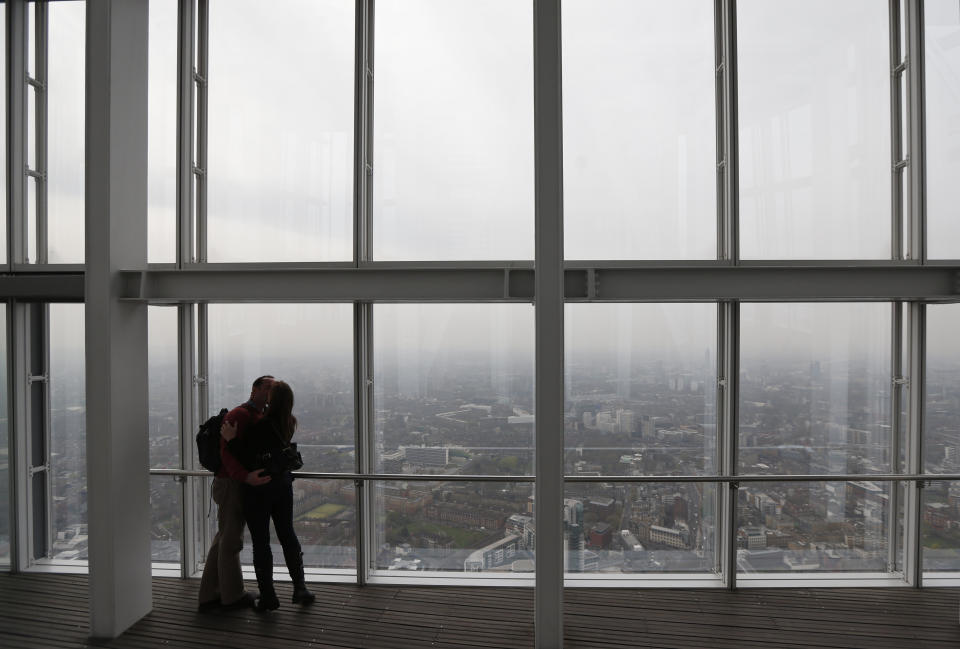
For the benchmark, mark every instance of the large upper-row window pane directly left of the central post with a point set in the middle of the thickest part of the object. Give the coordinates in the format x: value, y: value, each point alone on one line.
x: 453, y: 141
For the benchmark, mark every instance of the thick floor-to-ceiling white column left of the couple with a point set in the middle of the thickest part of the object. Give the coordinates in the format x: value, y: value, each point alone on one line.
x: 116, y: 332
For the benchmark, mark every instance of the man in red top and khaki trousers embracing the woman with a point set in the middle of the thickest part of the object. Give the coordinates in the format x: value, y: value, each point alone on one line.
x: 222, y: 581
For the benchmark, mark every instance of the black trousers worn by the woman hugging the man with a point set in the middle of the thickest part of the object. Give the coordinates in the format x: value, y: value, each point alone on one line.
x: 273, y: 500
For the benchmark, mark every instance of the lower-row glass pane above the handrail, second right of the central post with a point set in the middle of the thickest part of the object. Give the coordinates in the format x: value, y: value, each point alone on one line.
x: 815, y: 388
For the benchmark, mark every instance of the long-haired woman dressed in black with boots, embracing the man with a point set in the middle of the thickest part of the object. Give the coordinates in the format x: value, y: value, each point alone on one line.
x: 259, y: 447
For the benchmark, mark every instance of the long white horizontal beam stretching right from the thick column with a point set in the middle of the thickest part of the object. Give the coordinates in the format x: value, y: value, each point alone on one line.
x: 608, y: 283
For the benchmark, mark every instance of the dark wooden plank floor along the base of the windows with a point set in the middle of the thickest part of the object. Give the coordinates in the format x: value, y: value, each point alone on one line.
x: 40, y: 611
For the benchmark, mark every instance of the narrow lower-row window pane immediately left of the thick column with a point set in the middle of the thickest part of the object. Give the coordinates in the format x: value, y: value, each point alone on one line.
x: 68, y: 418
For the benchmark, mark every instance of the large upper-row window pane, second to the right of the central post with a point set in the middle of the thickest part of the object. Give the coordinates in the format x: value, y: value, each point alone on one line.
x: 814, y: 118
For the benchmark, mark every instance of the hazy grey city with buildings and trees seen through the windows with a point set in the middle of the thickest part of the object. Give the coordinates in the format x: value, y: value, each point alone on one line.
x: 466, y: 413
